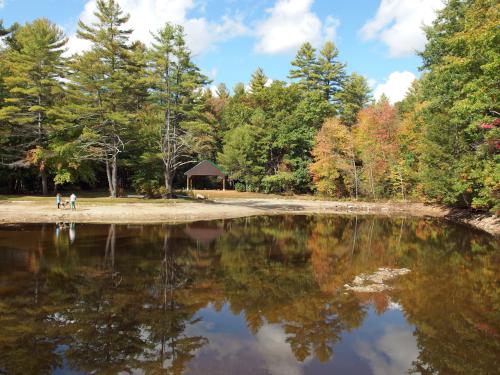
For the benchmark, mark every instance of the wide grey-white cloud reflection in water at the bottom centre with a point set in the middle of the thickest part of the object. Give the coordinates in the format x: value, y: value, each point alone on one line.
x: 268, y: 353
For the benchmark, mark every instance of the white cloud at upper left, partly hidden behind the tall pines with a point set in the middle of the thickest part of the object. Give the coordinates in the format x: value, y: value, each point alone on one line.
x: 148, y: 16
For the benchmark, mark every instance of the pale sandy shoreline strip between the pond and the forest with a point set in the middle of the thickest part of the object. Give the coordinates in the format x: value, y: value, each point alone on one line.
x: 30, y: 211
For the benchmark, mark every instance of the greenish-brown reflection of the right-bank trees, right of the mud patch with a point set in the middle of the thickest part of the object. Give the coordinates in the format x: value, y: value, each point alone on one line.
x: 453, y: 300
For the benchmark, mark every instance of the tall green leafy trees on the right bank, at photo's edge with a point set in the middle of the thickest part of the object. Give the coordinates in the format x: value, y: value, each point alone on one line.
x: 461, y: 92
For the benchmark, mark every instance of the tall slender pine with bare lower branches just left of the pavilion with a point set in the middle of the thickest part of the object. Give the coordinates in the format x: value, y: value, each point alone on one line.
x: 176, y: 84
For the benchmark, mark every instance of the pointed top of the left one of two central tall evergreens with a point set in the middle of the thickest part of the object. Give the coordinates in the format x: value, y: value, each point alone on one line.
x: 306, y: 67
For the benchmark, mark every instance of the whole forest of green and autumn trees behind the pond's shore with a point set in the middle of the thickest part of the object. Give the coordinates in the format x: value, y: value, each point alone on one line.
x: 124, y: 116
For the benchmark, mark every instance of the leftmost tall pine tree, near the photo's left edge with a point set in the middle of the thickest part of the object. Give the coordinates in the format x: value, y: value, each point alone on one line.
x: 33, y: 94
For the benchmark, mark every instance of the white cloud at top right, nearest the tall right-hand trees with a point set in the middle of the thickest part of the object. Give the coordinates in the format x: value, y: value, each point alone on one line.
x: 398, y: 23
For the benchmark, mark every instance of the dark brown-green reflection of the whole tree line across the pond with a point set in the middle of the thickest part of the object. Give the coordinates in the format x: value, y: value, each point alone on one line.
x: 131, y: 301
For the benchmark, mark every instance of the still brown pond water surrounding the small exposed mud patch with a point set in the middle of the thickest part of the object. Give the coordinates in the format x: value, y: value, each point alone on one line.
x: 261, y: 295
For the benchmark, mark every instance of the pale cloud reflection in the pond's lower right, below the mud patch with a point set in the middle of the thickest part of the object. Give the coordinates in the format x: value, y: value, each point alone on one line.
x: 392, y: 354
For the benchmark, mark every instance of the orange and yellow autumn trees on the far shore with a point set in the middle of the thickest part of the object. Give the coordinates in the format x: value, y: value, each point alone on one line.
x: 362, y: 160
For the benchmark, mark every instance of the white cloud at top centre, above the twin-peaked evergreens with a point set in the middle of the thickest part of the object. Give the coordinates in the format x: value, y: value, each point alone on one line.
x: 290, y: 24
